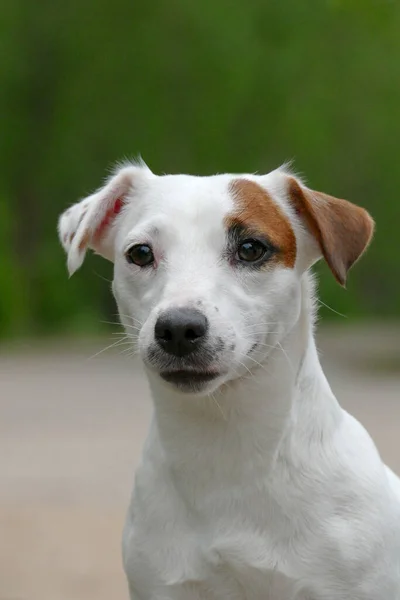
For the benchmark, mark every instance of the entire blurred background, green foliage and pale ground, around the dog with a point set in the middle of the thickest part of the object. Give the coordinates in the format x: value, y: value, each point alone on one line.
x: 198, y: 86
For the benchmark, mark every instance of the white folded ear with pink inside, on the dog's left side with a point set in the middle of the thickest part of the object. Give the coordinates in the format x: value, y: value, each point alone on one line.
x: 91, y: 223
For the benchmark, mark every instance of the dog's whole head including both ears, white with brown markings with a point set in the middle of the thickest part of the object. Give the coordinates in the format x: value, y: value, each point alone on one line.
x: 207, y: 270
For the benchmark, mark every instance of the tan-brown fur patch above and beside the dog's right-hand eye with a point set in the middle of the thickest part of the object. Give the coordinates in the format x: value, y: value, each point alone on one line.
x: 257, y: 210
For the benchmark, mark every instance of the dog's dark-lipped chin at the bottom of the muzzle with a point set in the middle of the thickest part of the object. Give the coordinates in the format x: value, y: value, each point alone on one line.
x: 189, y: 381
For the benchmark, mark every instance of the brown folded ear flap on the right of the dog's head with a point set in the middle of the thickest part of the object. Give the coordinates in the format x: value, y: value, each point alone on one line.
x: 342, y: 229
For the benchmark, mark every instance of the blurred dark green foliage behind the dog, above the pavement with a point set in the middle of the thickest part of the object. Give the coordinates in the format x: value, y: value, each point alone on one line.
x: 196, y: 86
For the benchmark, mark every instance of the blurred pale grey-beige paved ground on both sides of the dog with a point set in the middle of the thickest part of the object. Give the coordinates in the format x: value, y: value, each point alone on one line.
x: 70, y: 435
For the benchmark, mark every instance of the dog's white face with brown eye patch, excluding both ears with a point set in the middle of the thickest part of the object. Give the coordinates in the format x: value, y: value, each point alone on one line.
x: 211, y: 286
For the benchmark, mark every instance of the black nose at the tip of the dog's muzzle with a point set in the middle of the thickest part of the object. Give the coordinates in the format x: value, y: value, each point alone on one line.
x: 180, y: 331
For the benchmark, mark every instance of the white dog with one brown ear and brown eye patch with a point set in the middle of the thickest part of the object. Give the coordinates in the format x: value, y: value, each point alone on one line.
x: 254, y: 483
